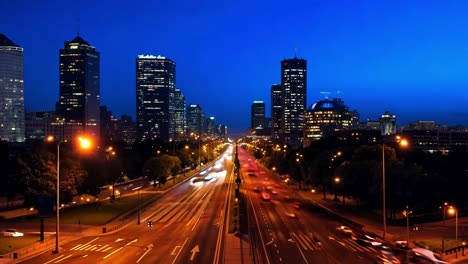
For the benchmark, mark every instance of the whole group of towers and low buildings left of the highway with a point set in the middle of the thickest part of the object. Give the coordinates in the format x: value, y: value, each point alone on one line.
x: 161, y: 111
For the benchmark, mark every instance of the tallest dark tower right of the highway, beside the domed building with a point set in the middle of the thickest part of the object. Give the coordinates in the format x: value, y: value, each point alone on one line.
x: 294, y: 99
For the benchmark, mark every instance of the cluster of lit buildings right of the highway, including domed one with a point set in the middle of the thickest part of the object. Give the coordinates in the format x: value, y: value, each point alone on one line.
x: 293, y: 124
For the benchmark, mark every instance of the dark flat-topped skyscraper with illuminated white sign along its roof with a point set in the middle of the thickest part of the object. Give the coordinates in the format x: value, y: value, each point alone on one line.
x: 155, y: 88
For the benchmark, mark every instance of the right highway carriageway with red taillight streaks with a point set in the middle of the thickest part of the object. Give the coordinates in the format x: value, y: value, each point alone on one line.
x: 293, y: 231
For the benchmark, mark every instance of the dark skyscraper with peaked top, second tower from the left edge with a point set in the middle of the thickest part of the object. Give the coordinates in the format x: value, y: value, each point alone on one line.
x: 80, y: 85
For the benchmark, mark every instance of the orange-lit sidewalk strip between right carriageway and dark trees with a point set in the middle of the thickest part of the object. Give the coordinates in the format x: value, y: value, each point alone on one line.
x: 373, y: 223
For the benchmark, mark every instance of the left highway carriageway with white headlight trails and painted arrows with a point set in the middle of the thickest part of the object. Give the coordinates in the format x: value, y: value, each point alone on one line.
x: 187, y: 227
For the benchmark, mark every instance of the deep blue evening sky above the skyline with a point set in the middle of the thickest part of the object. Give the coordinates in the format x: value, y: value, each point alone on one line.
x: 408, y: 57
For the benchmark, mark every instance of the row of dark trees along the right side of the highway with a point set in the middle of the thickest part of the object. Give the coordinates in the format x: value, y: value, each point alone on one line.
x: 414, y: 178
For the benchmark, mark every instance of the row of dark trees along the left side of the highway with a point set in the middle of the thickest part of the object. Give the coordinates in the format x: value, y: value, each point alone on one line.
x: 29, y: 172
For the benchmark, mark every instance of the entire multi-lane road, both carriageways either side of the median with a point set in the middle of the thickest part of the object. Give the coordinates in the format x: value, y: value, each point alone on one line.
x: 189, y: 225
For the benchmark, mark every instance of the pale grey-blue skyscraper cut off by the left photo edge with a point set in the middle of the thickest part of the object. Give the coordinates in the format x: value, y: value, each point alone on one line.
x: 11, y: 91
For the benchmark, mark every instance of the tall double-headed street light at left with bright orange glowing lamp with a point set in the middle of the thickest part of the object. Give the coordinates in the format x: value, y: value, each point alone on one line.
x: 84, y: 143
